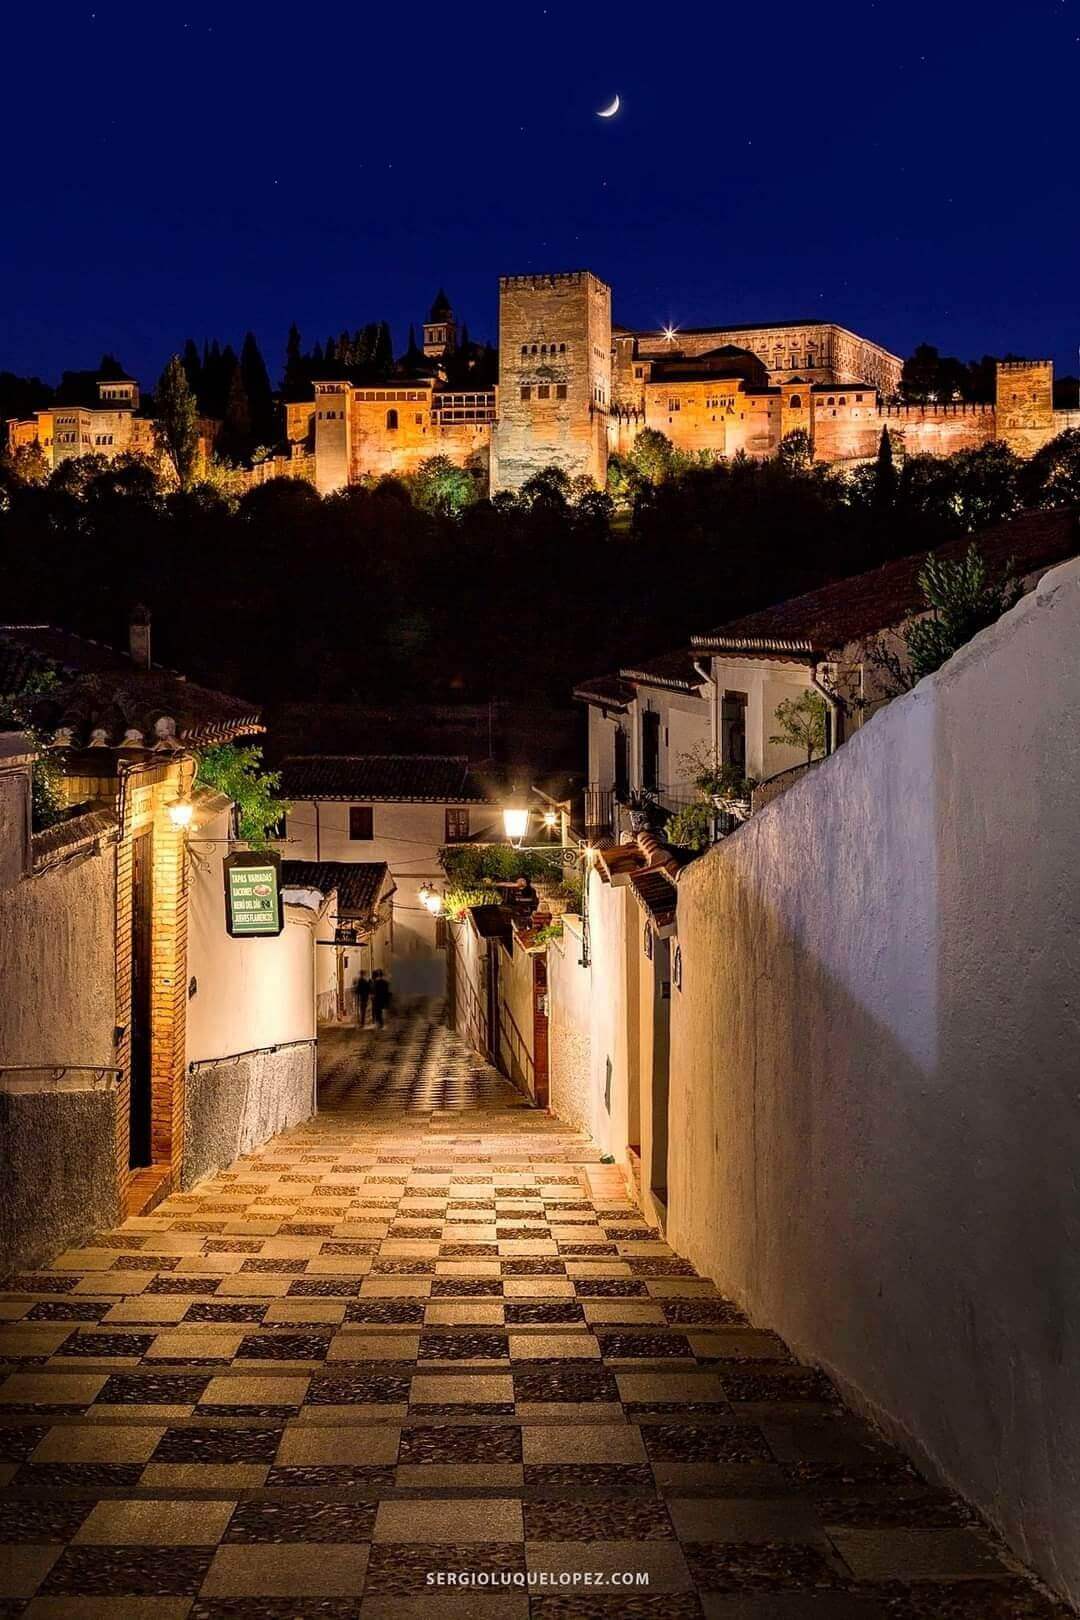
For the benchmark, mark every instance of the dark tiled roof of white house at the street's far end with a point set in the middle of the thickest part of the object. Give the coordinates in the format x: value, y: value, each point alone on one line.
x: 410, y: 778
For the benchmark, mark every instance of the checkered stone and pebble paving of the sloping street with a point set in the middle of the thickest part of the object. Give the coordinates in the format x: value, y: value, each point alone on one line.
x: 428, y: 1336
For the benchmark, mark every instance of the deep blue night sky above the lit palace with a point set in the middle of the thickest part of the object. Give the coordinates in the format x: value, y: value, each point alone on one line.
x: 904, y: 169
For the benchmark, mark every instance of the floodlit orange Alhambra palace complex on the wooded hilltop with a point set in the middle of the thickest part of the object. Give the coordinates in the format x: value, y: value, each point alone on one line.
x: 574, y: 390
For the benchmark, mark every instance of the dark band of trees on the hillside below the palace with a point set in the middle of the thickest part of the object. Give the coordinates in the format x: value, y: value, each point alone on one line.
x: 399, y: 592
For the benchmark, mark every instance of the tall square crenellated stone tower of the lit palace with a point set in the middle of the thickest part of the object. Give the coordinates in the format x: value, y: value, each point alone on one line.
x: 555, y: 378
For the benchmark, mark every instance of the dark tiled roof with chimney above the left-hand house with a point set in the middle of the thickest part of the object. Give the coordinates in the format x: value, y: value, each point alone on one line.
x: 104, y: 699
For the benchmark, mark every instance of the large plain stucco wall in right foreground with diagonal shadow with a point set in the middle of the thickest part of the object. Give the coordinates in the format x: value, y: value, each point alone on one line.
x: 875, y: 1072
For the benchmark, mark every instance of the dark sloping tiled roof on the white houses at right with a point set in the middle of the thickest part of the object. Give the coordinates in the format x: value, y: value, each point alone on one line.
x: 846, y: 612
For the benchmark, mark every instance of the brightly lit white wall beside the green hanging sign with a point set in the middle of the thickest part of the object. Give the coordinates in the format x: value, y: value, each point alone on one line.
x: 250, y: 992
